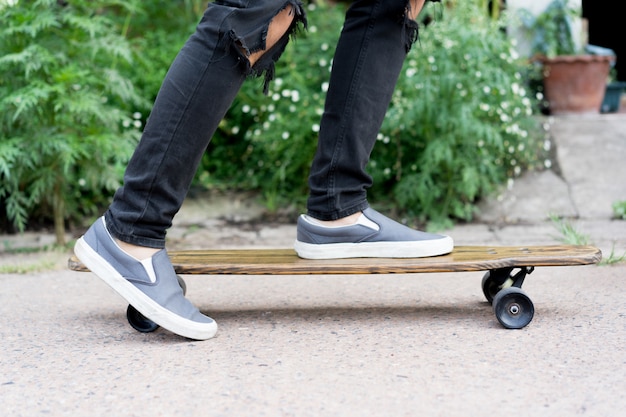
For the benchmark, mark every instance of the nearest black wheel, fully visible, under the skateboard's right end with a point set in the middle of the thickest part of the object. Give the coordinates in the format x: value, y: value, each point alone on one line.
x: 513, y: 308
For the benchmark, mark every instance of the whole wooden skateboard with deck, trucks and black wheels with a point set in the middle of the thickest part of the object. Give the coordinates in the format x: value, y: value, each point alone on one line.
x: 505, y: 269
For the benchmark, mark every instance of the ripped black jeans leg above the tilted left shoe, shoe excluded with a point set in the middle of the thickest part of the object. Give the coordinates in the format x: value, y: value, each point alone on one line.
x: 229, y: 44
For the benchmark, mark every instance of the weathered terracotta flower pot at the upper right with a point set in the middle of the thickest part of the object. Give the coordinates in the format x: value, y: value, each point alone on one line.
x: 575, y: 83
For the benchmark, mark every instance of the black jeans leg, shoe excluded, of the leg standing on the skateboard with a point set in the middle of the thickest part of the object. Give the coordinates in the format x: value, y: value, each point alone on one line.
x: 369, y: 57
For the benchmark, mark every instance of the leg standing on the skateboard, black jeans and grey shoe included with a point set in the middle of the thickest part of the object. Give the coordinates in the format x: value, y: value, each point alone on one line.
x: 376, y: 37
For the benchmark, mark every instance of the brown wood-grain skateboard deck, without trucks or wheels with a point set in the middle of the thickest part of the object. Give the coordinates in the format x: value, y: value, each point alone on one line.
x: 286, y: 262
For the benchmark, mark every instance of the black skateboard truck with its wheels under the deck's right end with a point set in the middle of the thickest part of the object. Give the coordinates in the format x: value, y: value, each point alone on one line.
x: 503, y: 290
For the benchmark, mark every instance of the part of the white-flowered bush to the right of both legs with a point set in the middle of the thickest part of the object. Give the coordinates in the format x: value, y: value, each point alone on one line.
x: 461, y: 123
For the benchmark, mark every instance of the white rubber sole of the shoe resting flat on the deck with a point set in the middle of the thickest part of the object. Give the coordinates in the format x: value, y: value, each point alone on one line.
x: 414, y: 249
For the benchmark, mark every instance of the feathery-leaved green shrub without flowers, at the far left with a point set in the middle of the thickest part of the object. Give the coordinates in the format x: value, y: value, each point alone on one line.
x: 67, y: 129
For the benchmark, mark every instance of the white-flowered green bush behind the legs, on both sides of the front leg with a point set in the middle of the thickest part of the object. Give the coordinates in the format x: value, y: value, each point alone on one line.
x: 459, y: 126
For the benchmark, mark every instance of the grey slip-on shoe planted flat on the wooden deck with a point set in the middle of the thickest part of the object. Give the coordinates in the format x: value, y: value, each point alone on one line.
x: 373, y: 236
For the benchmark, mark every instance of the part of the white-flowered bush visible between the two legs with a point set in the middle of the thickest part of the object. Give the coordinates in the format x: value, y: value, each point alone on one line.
x: 267, y: 142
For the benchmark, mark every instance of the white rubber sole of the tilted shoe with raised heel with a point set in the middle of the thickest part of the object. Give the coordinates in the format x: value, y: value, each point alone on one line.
x: 144, y: 304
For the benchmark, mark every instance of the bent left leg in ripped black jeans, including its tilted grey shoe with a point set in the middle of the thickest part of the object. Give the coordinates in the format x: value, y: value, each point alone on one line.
x: 125, y: 246
